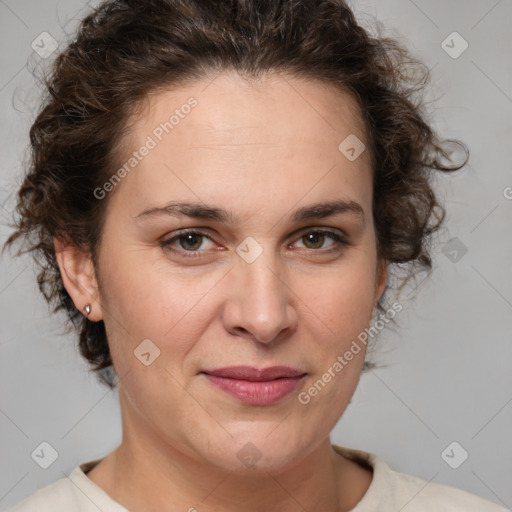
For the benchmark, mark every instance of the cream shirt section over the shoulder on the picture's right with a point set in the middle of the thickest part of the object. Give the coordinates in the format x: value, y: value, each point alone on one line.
x: 392, y: 490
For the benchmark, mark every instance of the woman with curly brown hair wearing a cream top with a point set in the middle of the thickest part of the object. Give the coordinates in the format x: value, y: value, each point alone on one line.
x: 220, y: 191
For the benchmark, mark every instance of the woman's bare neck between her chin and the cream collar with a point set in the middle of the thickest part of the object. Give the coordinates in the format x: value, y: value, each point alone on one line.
x: 146, y: 473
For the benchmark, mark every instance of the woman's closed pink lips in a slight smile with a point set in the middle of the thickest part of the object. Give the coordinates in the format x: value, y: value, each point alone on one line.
x: 254, y: 386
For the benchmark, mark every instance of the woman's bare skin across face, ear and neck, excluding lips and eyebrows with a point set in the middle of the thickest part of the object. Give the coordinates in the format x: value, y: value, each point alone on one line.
x: 260, y: 150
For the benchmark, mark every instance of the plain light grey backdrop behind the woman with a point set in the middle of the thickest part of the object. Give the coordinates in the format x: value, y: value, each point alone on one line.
x: 448, y: 376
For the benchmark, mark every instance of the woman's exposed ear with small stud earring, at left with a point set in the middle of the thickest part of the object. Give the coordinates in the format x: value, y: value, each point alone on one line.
x: 79, y: 277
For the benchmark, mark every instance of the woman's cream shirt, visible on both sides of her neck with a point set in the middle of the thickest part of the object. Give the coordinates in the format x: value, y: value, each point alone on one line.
x: 389, y: 491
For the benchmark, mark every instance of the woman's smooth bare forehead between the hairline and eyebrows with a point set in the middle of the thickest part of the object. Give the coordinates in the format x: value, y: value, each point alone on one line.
x: 273, y: 135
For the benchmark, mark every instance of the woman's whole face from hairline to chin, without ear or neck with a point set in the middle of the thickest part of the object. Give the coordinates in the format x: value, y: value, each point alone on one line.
x: 259, y: 285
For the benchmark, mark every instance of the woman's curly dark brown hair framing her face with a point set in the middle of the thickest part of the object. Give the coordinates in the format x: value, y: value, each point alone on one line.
x: 127, y: 49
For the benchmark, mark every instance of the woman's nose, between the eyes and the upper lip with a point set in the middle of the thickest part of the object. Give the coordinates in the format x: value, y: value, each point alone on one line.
x: 260, y: 304
